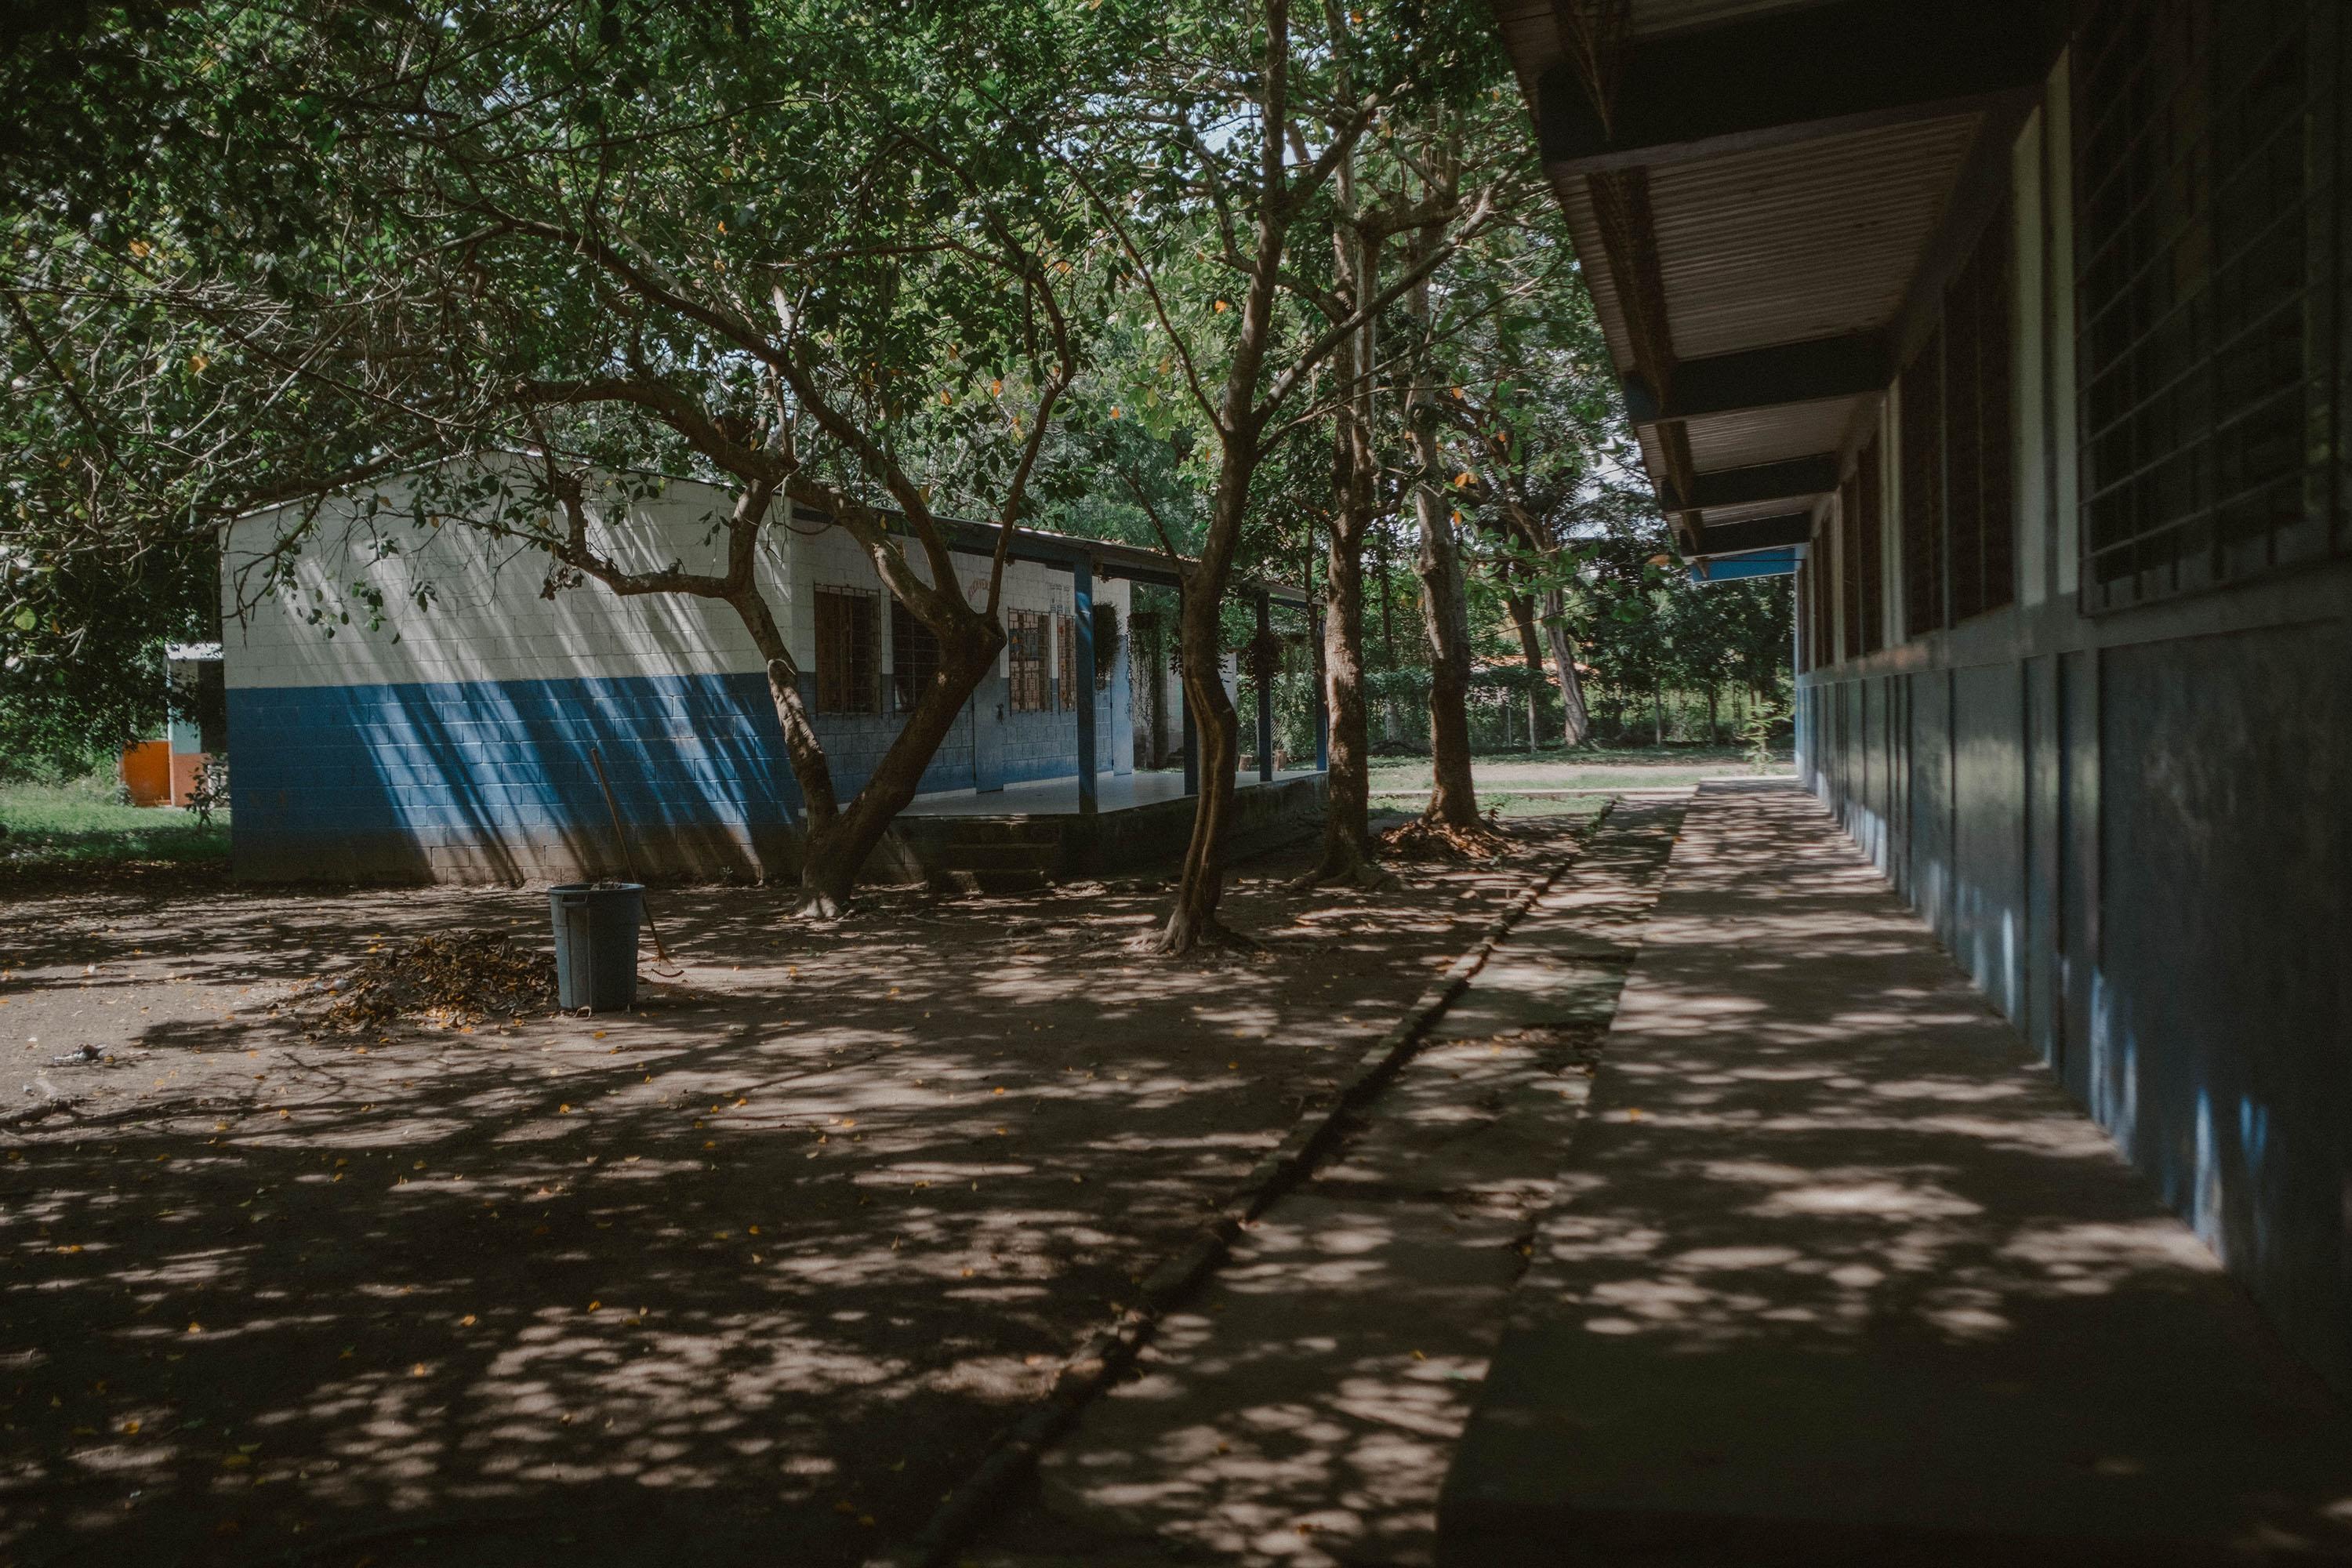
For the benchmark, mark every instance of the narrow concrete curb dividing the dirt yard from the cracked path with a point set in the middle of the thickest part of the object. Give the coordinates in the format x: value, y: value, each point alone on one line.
x: 1109, y: 1351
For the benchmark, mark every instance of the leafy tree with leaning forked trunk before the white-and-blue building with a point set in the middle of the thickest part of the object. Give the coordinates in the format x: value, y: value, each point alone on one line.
x: 768, y: 246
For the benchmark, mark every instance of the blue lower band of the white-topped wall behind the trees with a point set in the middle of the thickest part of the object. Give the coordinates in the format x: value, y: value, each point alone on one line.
x: 490, y: 782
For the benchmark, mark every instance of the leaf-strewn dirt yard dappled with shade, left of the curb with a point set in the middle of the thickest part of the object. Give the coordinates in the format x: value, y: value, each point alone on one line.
x: 749, y: 1275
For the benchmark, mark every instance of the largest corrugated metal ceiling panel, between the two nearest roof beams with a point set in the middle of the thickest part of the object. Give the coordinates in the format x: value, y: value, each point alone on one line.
x: 1805, y: 241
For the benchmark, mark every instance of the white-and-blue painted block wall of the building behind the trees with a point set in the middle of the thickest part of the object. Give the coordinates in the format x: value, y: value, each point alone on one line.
x: 415, y: 702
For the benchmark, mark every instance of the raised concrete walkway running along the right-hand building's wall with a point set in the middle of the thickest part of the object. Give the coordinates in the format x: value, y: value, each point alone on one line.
x: 1847, y: 1280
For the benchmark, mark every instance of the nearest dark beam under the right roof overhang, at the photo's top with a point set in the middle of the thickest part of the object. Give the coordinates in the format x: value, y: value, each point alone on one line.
x: 1791, y: 76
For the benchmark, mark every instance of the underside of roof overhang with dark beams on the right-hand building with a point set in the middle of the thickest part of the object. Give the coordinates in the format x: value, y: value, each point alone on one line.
x: 1768, y: 210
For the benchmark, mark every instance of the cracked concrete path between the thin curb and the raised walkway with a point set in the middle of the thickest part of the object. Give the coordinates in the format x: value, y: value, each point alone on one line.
x: 1304, y: 1405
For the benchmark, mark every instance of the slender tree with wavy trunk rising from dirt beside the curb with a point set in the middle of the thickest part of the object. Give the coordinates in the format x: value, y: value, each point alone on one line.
x: 1238, y: 159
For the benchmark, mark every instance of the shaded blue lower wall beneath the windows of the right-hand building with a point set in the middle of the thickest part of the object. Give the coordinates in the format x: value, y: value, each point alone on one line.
x: 2144, y: 855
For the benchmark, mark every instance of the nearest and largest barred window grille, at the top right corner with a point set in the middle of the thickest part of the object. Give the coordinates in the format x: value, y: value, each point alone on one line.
x: 2207, y: 281
